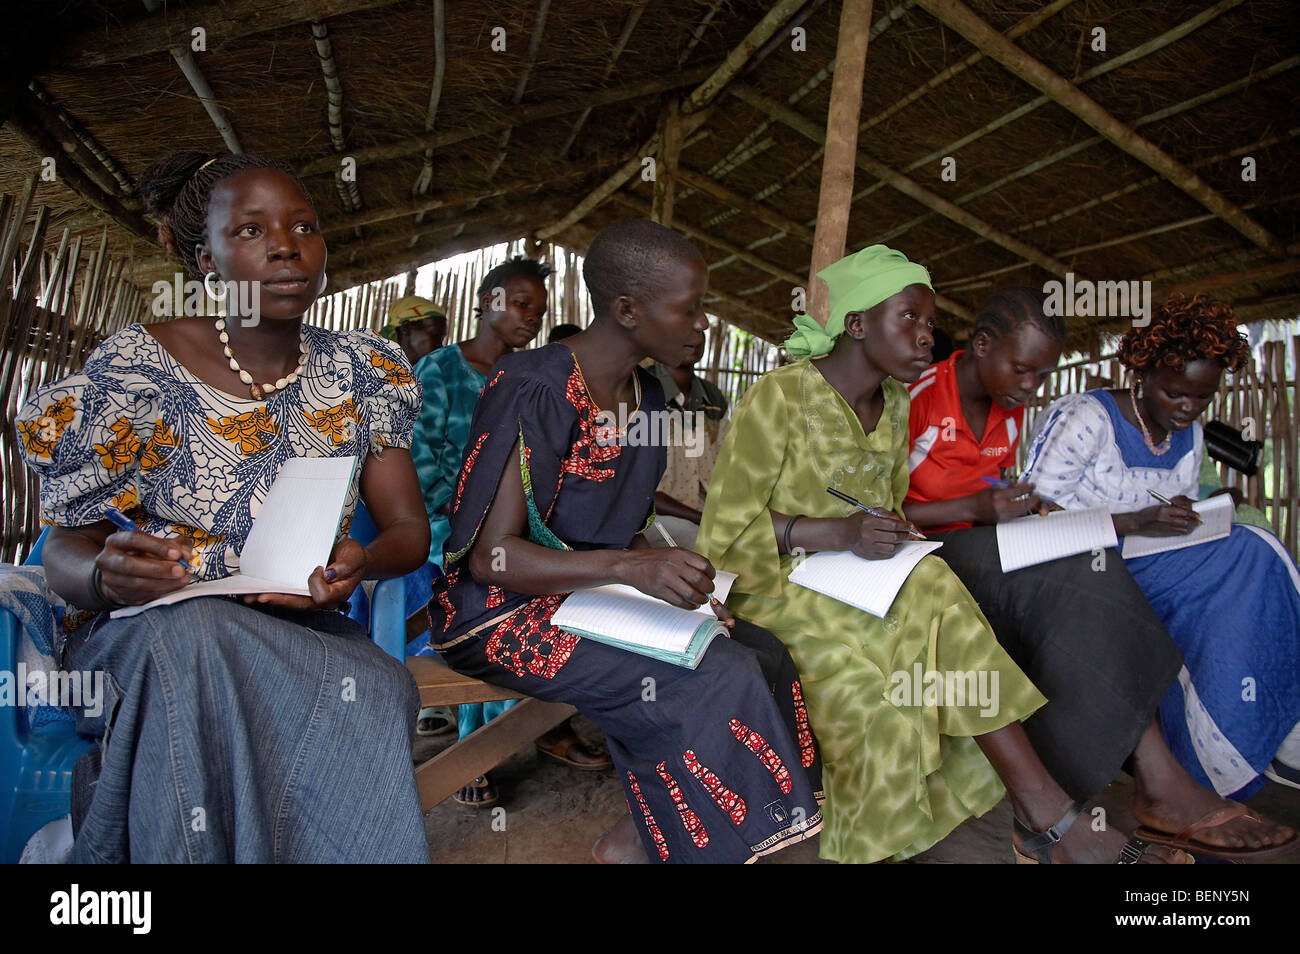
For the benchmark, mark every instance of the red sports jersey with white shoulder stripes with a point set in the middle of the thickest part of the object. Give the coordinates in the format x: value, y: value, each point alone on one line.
x: 947, y: 459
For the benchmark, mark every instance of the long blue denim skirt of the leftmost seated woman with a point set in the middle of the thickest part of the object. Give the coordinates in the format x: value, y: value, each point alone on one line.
x: 232, y: 734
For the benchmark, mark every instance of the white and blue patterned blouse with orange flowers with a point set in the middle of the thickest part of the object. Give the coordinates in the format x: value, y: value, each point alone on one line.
x: 136, y: 431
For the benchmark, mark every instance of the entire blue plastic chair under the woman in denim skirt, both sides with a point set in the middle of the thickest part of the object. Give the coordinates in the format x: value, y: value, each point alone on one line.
x: 37, y: 765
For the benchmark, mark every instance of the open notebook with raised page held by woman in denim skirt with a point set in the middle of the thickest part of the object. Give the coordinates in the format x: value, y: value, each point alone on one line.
x: 292, y: 536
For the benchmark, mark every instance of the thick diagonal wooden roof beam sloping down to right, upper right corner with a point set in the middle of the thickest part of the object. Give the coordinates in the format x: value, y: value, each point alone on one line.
x: 1065, y: 94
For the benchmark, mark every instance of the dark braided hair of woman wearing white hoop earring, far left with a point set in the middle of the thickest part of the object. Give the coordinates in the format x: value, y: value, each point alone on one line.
x: 179, y: 188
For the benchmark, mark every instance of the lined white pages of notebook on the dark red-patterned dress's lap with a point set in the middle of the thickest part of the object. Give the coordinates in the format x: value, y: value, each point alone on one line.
x: 634, y: 619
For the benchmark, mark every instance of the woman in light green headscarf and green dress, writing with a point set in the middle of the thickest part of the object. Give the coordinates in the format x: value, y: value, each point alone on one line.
x: 905, y: 764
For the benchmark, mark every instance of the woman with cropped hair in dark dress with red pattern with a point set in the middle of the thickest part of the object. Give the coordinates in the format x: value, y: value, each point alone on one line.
x: 718, y: 764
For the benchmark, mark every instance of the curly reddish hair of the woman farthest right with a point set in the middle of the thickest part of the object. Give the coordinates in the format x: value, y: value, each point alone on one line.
x: 1184, y: 331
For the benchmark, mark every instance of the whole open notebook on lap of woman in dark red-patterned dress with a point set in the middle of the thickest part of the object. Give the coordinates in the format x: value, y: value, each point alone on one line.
x: 631, y: 621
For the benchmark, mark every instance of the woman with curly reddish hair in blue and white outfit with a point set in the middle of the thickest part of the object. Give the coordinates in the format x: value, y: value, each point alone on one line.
x: 1232, y: 605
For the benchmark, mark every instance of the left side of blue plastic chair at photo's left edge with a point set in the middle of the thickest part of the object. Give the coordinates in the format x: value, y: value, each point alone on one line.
x: 36, y: 765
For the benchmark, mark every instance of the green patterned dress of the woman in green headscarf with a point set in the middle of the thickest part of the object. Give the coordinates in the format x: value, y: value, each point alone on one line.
x: 898, y: 778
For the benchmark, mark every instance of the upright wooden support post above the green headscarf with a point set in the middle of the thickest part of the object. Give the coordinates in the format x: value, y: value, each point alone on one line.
x: 835, y: 201
